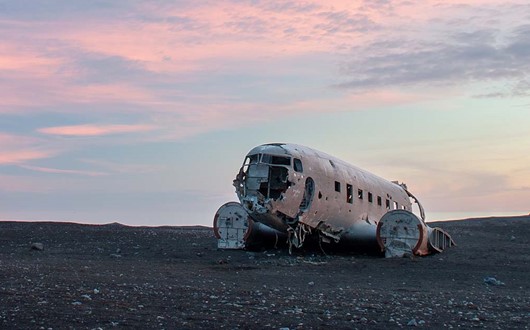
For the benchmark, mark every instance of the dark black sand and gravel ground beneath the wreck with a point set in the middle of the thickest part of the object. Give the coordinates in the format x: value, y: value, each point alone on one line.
x: 113, y: 276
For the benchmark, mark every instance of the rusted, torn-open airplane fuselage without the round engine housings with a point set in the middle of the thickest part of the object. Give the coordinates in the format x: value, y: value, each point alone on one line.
x: 285, y: 186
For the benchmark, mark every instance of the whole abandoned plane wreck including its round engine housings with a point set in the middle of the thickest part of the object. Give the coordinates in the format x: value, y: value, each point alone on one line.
x: 288, y: 193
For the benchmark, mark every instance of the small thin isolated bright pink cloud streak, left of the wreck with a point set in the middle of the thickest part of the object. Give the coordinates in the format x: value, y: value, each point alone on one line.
x: 95, y: 130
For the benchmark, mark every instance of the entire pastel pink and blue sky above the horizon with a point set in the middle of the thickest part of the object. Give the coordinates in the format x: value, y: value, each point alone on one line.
x: 141, y: 112
